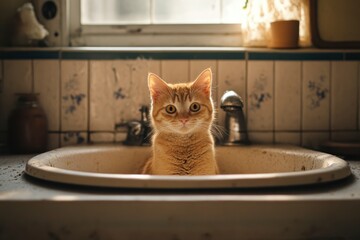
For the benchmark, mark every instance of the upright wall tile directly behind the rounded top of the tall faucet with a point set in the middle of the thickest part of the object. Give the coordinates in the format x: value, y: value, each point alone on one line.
x: 231, y: 76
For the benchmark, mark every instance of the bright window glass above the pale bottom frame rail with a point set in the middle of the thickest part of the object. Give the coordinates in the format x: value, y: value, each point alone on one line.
x: 130, y: 12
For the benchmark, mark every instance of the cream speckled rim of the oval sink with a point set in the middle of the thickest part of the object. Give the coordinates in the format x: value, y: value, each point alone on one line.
x: 38, y: 168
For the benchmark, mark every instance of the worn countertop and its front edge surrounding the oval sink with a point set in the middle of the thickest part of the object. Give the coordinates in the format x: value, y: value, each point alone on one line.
x: 36, y: 209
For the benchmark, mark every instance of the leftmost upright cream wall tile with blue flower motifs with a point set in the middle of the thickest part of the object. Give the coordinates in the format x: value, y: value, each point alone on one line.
x: 74, y: 95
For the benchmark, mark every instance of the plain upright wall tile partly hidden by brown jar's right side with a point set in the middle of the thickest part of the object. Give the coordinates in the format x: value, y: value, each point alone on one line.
x: 46, y: 83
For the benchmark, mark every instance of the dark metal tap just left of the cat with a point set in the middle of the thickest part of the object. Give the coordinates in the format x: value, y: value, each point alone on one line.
x: 139, y: 132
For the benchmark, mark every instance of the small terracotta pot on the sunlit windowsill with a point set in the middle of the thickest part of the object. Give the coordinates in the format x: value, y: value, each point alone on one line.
x: 284, y: 34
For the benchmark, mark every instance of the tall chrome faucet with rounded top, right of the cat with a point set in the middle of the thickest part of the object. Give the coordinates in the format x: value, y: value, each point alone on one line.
x: 235, y: 124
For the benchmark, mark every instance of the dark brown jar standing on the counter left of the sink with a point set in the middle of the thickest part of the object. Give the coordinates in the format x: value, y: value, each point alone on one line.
x: 27, y: 125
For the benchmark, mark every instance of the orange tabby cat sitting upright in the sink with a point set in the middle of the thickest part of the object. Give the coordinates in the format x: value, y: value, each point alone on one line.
x: 182, y: 115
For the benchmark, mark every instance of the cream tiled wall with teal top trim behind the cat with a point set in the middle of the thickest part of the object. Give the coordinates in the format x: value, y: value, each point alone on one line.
x: 298, y: 98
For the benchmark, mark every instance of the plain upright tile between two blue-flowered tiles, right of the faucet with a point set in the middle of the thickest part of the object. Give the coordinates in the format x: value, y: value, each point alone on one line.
x: 287, y: 95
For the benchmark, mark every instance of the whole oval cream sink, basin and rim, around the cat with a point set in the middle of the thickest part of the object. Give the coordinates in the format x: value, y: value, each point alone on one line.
x: 240, y: 166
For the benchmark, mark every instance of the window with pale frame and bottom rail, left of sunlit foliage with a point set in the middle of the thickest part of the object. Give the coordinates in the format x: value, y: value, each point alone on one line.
x: 156, y: 22
